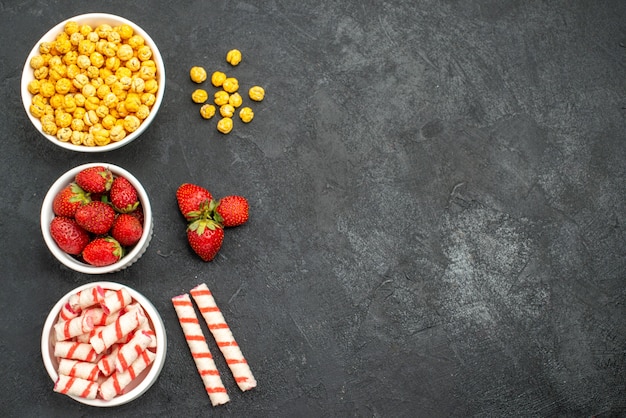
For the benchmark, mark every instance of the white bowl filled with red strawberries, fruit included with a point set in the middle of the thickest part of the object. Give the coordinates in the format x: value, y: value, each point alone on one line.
x: 96, y: 218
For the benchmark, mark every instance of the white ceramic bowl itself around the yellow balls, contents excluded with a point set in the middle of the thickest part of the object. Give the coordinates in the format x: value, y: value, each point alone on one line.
x: 94, y: 19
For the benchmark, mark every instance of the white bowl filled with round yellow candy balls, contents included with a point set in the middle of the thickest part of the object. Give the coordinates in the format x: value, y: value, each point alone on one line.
x: 93, y: 83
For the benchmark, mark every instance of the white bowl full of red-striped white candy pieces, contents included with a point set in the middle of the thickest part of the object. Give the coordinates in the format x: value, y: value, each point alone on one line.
x: 91, y: 372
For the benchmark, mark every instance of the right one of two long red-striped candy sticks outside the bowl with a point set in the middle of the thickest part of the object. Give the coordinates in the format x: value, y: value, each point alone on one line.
x: 223, y: 337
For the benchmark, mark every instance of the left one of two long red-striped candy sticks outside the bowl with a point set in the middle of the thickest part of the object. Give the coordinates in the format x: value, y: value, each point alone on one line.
x: 200, y: 350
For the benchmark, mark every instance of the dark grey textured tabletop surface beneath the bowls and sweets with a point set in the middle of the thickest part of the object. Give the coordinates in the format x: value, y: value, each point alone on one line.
x: 438, y: 206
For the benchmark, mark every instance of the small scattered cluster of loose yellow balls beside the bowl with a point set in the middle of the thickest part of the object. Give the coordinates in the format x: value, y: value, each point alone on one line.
x: 227, y: 100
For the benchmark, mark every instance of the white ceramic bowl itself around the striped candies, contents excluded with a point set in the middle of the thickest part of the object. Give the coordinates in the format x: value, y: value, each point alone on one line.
x: 143, y: 381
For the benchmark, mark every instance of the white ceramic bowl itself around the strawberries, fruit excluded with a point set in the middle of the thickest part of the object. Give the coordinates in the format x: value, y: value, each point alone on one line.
x: 130, y: 257
